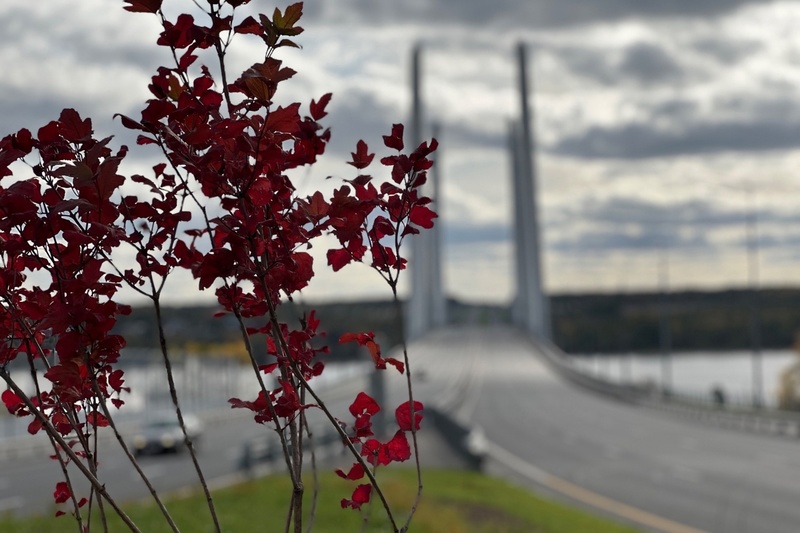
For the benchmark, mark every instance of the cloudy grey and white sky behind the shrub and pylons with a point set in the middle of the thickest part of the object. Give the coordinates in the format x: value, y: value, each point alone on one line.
x: 667, y: 133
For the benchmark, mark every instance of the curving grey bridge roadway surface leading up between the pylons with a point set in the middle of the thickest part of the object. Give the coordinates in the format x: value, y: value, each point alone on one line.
x: 638, y: 464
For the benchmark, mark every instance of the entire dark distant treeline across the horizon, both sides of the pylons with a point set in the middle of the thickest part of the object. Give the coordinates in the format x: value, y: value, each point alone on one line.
x: 582, y: 323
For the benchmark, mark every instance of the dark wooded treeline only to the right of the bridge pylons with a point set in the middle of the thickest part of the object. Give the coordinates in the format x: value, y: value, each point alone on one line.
x: 693, y: 320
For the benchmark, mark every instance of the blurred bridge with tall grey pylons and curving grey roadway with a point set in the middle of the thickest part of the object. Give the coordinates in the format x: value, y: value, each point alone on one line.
x: 661, y: 465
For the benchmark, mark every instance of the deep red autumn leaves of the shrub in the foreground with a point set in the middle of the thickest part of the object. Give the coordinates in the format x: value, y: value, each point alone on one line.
x: 227, y: 151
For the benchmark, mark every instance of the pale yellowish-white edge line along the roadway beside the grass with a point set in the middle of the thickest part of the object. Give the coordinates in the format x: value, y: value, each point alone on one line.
x: 586, y: 496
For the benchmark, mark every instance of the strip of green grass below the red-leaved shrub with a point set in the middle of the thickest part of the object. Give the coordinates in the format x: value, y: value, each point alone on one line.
x: 452, y: 502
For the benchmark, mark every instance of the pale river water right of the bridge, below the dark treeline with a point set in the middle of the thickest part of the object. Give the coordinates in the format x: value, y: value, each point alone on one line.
x: 696, y: 373
